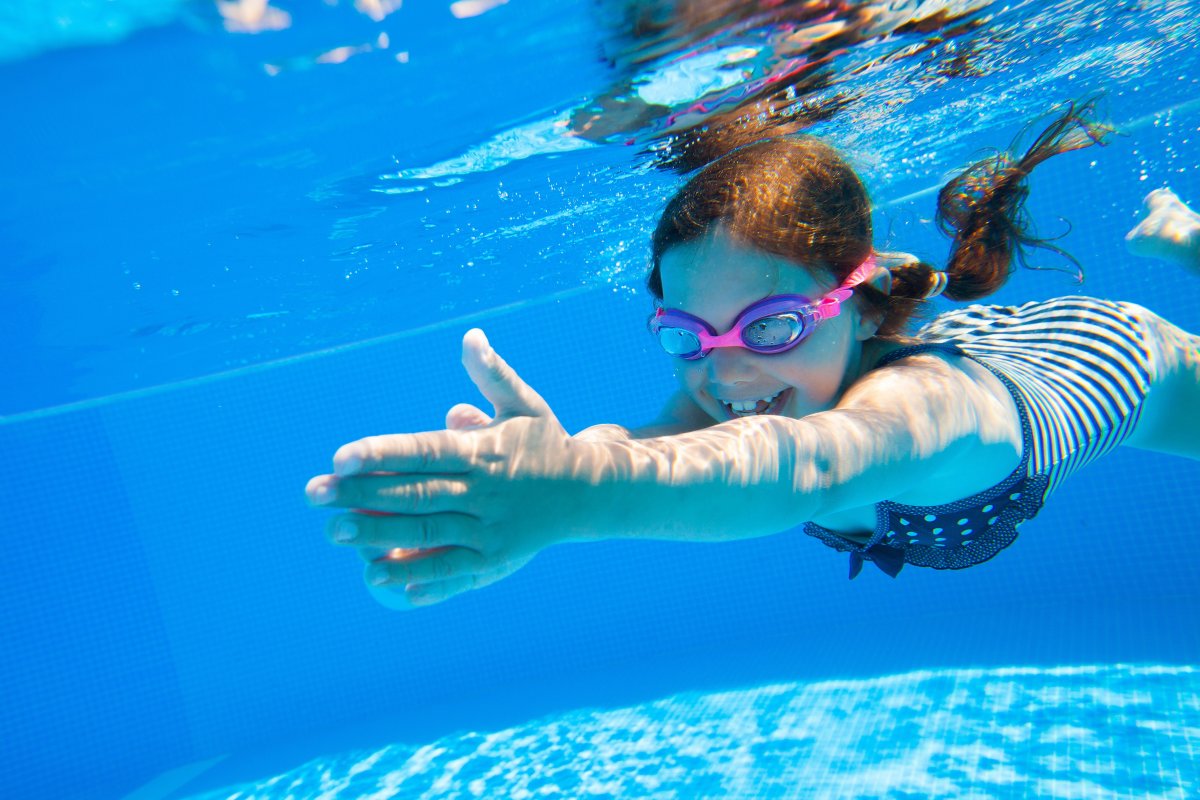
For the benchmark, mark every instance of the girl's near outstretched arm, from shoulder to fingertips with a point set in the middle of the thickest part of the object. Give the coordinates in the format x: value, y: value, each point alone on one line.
x: 467, y: 508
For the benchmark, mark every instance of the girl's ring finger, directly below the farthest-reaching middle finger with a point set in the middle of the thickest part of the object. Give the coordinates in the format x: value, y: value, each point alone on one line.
x: 419, y: 532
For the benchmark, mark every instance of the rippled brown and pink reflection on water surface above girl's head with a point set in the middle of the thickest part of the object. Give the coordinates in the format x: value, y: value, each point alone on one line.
x: 694, y: 80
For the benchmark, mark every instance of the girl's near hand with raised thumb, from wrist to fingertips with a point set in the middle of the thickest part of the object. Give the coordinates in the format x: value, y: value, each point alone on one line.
x: 440, y: 514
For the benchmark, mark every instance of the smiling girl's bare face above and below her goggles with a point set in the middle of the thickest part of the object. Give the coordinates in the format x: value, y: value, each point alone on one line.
x: 715, y: 279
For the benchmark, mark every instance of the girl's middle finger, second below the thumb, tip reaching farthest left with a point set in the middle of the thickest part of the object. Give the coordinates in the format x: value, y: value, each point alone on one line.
x: 411, y: 495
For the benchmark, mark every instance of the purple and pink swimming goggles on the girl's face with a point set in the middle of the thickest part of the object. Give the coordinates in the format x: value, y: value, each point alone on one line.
x: 771, y: 326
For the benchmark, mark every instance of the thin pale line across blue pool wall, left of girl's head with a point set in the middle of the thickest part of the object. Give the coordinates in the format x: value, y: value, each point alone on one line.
x: 263, y: 366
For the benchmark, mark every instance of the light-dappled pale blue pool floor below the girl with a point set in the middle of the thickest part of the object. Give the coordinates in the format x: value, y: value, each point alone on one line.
x: 1073, y: 732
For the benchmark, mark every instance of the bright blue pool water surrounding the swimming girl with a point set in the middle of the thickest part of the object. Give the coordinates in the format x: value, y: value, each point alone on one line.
x: 230, y: 251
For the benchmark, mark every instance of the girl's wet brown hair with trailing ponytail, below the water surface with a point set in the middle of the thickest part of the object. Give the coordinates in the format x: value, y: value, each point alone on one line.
x: 799, y: 199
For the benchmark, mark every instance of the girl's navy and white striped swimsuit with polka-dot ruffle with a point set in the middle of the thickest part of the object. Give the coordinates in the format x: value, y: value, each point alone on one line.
x: 1078, y: 370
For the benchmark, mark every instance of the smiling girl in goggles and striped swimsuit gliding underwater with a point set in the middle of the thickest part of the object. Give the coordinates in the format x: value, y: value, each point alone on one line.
x: 802, y: 401
